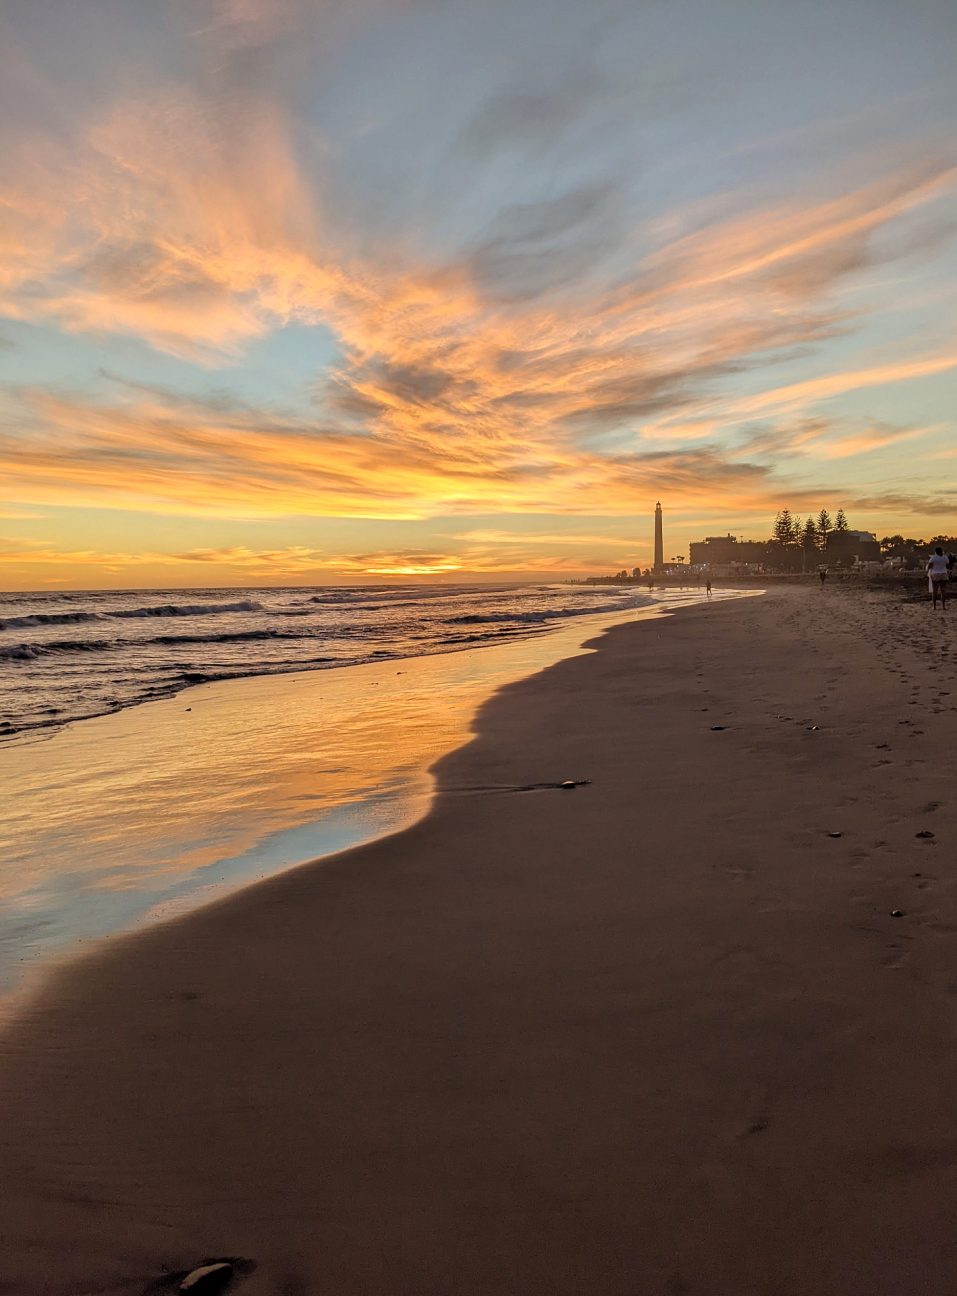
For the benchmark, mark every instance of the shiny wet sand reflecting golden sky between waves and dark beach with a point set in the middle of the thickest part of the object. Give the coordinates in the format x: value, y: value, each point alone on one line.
x: 139, y: 816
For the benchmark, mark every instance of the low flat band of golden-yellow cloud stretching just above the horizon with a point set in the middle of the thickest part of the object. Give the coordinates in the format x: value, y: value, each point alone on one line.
x: 212, y: 459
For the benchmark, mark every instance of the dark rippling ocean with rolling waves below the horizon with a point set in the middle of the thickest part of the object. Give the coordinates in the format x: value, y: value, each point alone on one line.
x: 71, y: 656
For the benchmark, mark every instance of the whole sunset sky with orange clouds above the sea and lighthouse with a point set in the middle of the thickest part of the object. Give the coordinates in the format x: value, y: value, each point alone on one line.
x: 301, y: 291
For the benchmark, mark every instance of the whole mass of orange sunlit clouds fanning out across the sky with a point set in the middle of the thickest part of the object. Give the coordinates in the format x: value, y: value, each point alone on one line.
x: 512, y: 375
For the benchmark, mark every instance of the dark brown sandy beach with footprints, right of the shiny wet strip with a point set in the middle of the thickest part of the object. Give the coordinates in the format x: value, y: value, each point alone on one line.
x: 658, y: 1035
